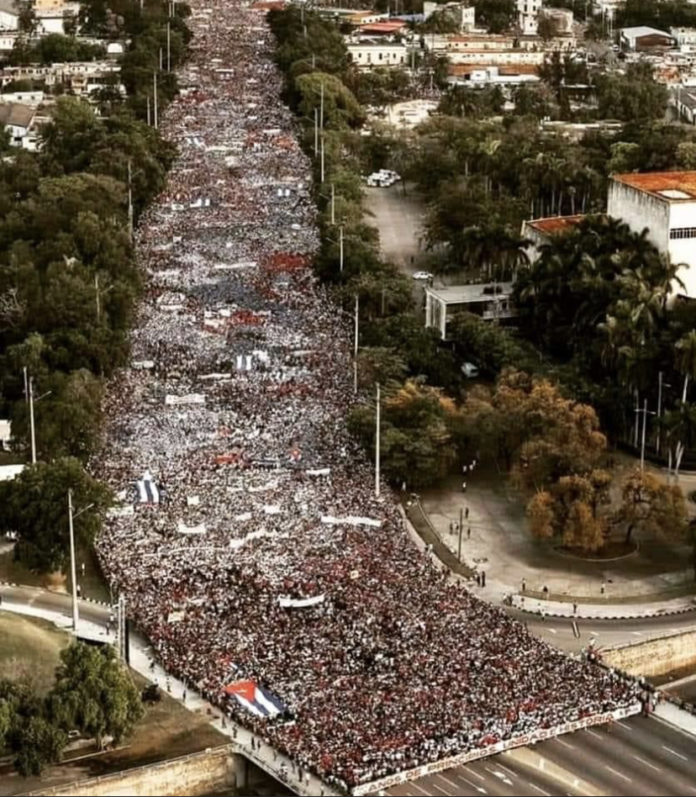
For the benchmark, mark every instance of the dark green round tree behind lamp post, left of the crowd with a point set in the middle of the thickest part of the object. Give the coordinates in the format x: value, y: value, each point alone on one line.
x: 35, y: 505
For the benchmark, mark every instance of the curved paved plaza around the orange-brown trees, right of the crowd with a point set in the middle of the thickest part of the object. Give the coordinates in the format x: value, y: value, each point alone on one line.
x: 649, y: 582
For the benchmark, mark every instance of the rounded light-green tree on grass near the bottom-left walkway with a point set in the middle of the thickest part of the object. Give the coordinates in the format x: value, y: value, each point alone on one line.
x: 94, y: 693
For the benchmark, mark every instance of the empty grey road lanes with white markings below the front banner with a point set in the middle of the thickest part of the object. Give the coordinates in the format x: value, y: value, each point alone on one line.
x: 637, y: 756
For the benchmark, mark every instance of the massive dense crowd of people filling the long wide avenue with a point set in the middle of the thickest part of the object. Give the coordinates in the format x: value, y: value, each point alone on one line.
x: 234, y: 406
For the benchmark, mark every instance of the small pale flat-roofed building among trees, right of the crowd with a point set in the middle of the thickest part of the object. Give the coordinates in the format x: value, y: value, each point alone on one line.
x: 490, y: 301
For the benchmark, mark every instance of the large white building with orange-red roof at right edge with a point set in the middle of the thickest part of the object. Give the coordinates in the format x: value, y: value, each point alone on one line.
x: 665, y: 204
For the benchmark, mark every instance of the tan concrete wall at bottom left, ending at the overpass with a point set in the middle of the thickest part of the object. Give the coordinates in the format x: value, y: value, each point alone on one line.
x: 198, y: 773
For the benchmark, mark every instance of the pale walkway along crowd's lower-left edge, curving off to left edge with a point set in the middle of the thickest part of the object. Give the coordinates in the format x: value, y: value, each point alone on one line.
x: 263, y: 755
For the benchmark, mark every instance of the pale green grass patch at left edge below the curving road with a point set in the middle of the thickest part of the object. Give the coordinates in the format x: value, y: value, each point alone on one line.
x: 30, y: 648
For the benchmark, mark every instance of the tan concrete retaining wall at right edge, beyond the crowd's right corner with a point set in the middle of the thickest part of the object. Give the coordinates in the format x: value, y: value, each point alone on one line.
x: 655, y: 656
